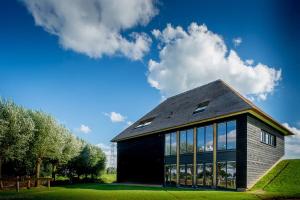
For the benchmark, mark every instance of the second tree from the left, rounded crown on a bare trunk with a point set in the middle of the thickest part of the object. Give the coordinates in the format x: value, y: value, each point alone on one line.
x: 47, y: 141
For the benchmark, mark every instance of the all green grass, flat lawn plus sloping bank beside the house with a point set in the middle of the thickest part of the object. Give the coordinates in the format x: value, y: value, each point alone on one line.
x: 283, y: 181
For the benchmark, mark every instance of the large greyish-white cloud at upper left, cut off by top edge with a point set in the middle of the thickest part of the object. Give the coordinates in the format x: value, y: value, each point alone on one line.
x: 95, y: 27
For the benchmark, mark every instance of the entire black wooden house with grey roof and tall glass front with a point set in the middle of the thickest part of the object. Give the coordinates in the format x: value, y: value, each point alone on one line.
x: 210, y: 136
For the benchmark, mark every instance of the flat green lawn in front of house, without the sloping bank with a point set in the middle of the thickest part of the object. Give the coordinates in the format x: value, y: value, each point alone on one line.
x: 111, y: 191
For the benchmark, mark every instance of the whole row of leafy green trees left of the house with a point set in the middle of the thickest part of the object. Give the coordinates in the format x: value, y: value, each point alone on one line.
x: 31, y: 141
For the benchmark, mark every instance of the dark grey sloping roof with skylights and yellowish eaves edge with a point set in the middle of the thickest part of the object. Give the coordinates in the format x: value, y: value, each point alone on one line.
x: 179, y: 110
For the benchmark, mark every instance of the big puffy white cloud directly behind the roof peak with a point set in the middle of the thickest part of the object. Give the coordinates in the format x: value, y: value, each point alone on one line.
x: 197, y: 56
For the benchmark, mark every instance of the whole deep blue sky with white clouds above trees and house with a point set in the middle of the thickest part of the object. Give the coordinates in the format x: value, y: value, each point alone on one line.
x: 81, y: 81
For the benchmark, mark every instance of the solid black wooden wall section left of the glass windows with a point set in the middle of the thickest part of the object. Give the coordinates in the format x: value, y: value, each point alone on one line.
x: 141, y: 160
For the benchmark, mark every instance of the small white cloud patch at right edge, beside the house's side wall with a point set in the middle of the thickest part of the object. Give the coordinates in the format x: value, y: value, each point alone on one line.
x: 292, y: 143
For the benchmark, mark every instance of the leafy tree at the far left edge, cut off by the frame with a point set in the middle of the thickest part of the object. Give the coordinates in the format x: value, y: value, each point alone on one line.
x: 16, y: 130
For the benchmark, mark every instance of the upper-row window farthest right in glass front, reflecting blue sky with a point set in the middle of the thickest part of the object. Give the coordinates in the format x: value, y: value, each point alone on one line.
x: 226, y: 135
